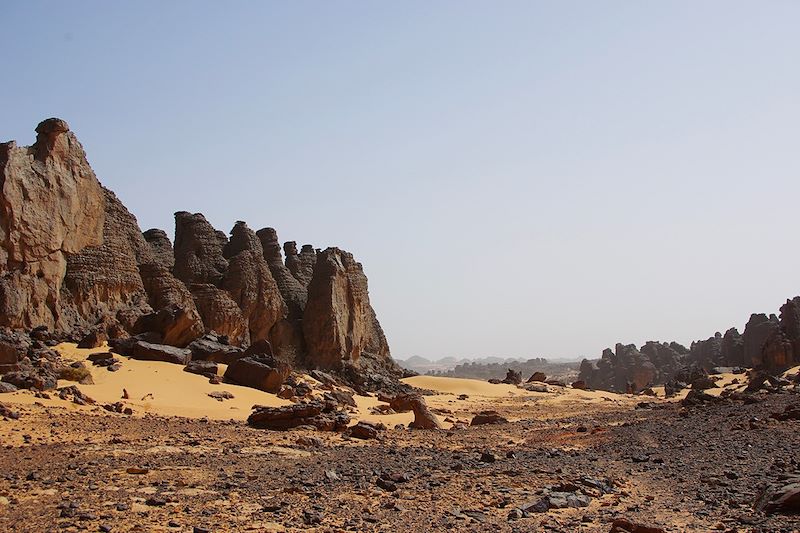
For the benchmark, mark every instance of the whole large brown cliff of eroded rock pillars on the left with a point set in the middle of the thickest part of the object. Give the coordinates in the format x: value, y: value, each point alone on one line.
x: 73, y: 259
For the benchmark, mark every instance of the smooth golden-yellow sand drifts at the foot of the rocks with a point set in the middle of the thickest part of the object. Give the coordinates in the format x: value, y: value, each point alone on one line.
x: 164, y: 389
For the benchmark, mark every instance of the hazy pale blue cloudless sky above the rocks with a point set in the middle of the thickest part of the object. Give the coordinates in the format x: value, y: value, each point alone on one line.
x: 519, y: 179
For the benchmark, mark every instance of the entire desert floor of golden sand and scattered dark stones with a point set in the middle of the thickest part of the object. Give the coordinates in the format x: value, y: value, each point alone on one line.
x: 185, y: 461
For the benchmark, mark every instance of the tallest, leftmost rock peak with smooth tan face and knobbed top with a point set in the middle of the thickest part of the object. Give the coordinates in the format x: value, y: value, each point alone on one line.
x: 51, y: 205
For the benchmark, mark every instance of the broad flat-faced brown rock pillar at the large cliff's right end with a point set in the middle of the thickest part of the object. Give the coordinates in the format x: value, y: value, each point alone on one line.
x: 338, y: 323
